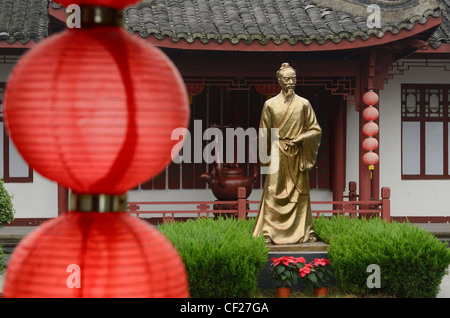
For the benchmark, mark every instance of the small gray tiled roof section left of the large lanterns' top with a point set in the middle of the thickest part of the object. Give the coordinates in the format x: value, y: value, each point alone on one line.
x: 22, y: 20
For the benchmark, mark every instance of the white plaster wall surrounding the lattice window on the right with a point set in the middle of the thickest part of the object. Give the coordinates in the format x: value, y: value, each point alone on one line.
x: 408, y: 197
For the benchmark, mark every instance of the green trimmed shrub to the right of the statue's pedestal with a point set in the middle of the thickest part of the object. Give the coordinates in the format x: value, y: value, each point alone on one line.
x: 412, y: 261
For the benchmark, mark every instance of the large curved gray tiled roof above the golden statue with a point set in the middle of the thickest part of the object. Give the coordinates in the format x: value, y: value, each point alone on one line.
x: 257, y: 20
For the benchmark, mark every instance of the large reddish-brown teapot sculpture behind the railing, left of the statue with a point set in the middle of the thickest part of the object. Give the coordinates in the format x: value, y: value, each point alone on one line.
x: 226, y: 178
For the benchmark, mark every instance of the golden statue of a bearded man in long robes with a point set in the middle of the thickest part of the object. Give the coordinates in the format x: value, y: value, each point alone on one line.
x: 284, y: 215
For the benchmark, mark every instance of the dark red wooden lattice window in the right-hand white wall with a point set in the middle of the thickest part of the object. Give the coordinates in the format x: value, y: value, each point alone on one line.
x: 425, y: 133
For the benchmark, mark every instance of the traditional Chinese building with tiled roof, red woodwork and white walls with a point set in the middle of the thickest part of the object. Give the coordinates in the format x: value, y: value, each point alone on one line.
x: 228, y: 53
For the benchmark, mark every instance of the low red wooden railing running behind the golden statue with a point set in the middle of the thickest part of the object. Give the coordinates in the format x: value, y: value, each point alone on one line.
x: 241, y: 207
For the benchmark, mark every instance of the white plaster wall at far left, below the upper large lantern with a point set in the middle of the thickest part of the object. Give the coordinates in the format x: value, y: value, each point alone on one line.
x: 38, y: 199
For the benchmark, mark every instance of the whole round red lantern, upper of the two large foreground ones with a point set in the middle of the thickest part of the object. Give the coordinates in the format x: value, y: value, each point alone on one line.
x: 94, y: 109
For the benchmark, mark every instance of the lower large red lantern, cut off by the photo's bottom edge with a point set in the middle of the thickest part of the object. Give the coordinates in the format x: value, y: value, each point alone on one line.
x: 98, y: 255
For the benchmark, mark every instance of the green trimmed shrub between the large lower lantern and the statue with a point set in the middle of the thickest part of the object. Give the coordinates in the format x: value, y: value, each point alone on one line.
x: 221, y: 256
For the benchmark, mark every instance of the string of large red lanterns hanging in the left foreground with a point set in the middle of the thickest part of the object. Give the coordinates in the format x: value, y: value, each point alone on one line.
x: 93, y: 109
